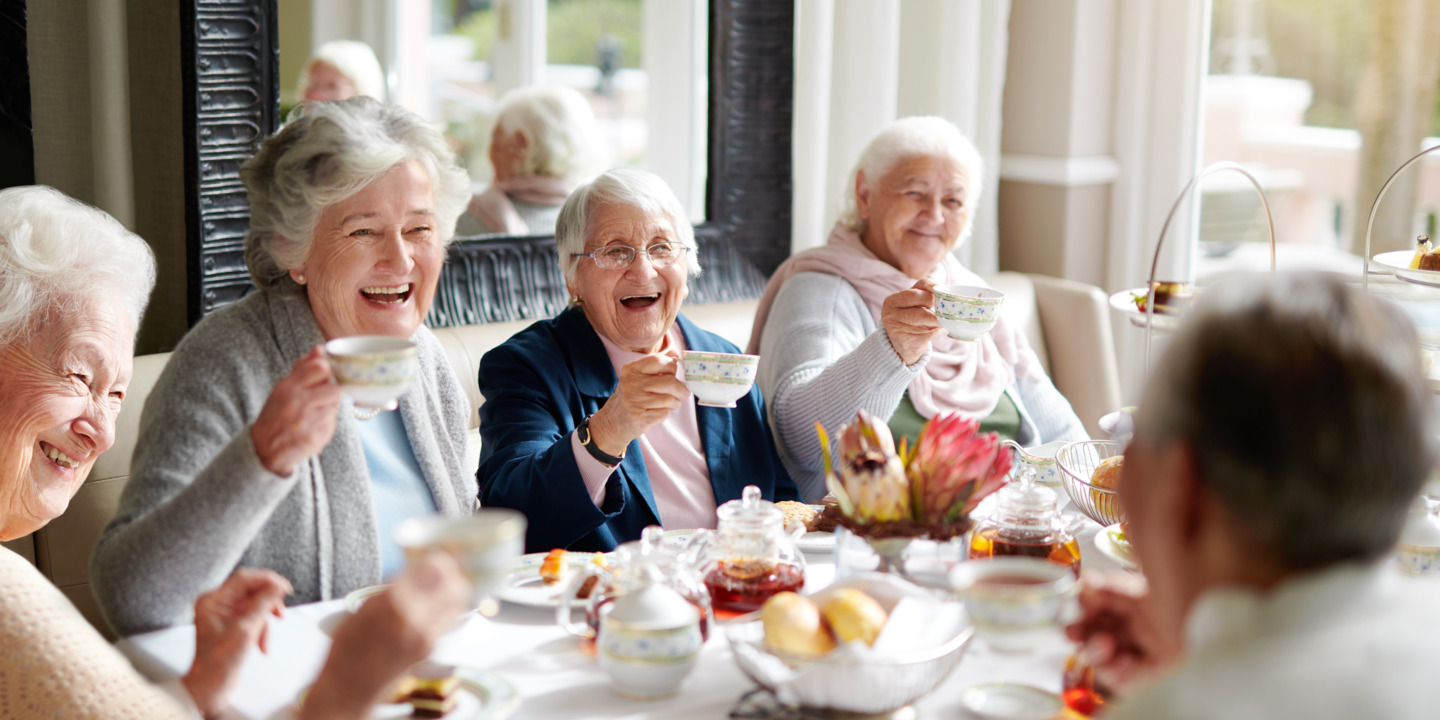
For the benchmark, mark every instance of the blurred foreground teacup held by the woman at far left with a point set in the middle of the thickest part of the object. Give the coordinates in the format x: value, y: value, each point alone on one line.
x: 486, y: 545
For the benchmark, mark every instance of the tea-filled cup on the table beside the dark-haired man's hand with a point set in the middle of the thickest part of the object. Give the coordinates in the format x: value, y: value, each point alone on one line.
x: 1014, y: 603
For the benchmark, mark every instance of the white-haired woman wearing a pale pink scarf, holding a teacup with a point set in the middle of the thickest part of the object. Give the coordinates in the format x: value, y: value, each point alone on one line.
x: 852, y: 326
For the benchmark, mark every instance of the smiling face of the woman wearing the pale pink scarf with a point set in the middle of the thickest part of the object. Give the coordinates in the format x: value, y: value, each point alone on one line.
x: 915, y: 214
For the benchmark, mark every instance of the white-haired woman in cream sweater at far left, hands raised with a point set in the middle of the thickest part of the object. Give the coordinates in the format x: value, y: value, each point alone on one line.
x: 73, y: 287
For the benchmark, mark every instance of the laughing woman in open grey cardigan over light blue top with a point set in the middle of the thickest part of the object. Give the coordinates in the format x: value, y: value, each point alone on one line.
x: 248, y: 453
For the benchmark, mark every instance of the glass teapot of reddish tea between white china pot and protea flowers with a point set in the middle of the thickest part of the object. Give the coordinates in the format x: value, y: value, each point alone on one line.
x: 750, y: 557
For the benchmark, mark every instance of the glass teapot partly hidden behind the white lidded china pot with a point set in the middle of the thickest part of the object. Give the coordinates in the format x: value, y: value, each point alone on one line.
x: 631, y: 568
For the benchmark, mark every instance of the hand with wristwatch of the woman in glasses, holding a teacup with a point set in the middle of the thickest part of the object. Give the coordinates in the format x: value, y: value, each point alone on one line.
x: 647, y: 394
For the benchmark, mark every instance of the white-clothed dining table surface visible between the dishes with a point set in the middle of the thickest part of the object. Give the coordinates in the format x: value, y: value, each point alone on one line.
x: 554, y: 675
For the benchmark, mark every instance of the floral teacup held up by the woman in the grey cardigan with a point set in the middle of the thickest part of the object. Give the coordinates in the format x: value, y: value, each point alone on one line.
x: 374, y: 371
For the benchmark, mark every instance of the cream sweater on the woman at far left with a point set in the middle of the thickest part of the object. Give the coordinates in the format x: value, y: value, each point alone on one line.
x: 54, y: 665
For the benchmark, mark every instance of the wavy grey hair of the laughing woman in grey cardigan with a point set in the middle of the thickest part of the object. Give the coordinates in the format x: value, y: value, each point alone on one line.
x: 326, y: 153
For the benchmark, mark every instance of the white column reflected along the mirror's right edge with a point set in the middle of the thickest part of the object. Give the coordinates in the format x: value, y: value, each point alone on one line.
x: 676, y: 40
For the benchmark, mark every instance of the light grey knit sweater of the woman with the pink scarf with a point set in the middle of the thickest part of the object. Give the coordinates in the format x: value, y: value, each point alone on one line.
x: 824, y: 358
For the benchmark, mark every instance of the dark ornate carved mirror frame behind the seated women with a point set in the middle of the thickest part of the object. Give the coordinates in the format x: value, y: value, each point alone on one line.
x: 233, y: 103
